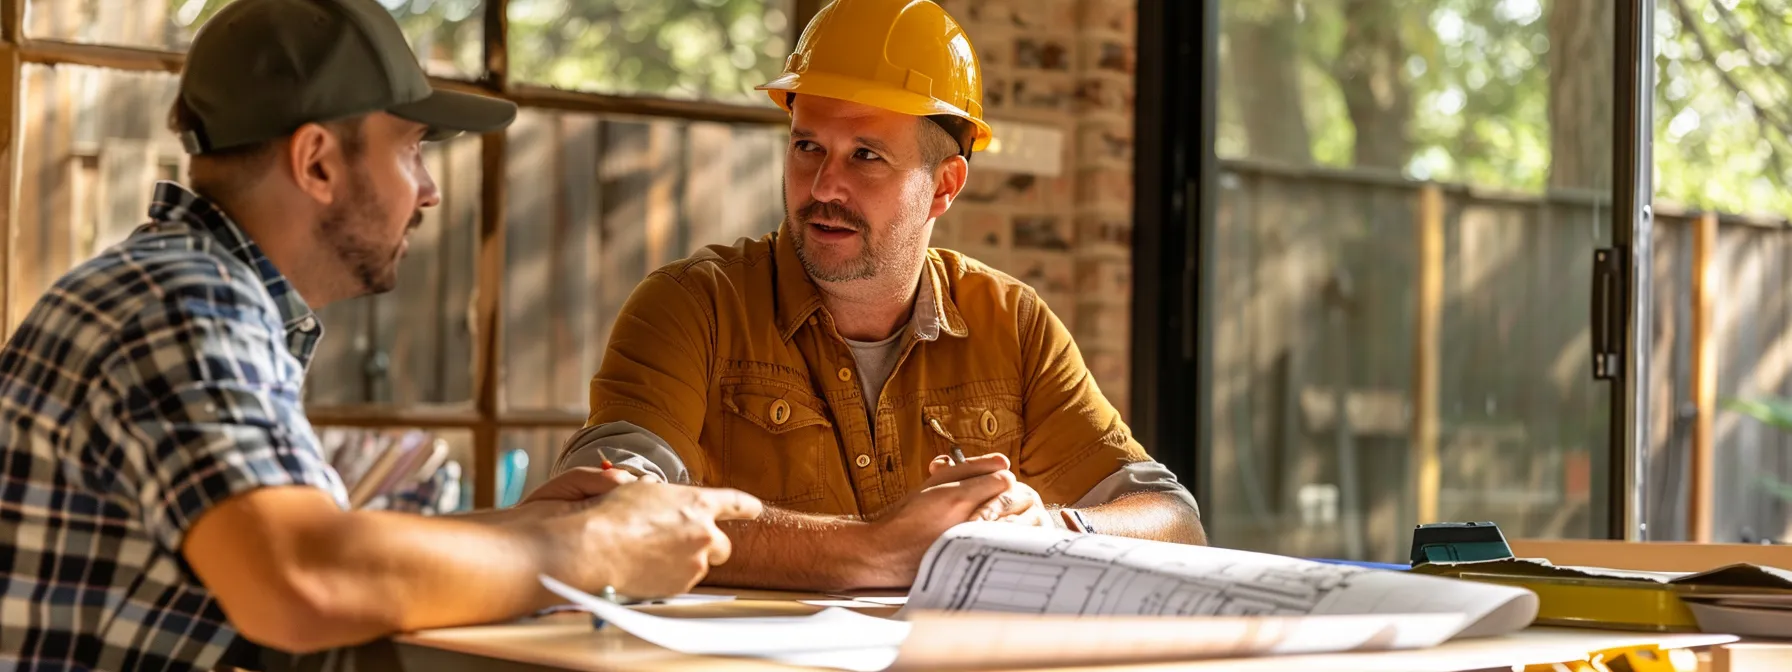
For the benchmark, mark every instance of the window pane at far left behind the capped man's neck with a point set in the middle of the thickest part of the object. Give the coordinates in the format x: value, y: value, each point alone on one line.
x: 92, y: 146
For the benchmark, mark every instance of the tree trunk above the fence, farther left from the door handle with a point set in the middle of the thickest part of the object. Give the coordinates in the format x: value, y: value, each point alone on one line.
x: 1372, y: 74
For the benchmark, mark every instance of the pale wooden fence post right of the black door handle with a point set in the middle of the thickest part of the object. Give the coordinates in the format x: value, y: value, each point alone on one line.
x: 1703, y: 377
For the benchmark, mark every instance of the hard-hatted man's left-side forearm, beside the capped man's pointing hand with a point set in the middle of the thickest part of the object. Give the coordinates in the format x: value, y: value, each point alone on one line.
x: 797, y: 551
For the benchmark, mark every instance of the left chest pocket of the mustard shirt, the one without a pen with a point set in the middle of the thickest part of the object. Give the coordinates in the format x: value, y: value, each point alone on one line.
x: 777, y: 444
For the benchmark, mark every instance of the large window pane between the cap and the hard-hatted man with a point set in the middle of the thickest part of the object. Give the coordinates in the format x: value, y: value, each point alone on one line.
x: 594, y: 207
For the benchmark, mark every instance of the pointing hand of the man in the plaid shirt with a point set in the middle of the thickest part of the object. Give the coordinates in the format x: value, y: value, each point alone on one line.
x: 650, y: 540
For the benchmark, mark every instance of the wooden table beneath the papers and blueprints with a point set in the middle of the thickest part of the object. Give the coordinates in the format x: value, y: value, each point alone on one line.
x: 569, y: 642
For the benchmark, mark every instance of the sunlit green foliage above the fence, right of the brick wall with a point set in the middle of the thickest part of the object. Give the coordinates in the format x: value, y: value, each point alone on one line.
x: 1479, y: 92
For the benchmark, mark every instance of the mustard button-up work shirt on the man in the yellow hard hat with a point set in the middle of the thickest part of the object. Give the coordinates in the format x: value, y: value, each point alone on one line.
x: 727, y: 370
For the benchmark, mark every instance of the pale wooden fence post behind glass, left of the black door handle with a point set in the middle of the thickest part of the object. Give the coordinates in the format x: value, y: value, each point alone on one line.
x: 1427, y: 349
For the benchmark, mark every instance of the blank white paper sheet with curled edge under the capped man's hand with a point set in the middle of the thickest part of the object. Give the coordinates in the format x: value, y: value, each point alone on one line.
x: 836, y: 639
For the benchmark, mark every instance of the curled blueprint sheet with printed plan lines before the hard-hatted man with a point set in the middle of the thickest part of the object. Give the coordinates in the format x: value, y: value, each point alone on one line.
x: 1013, y: 569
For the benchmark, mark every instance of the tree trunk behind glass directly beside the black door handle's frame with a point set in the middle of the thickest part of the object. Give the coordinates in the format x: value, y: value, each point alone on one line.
x: 1581, y: 73
